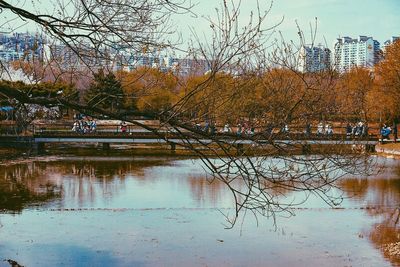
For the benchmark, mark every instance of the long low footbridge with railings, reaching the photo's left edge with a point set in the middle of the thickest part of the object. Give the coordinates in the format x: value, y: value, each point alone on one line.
x: 40, y: 136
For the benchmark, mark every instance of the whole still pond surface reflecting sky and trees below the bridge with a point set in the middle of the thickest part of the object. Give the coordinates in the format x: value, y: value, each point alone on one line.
x: 161, y: 211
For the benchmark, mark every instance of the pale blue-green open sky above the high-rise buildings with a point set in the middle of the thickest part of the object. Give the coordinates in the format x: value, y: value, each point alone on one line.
x: 336, y: 18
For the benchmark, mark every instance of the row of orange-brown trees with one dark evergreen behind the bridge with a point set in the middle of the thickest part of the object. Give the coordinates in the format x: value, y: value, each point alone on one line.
x: 266, y: 95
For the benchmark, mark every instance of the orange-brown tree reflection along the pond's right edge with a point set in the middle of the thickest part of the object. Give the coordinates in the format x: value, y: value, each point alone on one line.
x: 382, y: 196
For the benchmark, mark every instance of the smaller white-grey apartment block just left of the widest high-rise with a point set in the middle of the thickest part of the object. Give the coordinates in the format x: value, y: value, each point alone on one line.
x: 314, y: 58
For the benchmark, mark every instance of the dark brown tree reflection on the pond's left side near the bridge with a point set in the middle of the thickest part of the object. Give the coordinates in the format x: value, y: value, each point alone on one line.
x: 85, y: 181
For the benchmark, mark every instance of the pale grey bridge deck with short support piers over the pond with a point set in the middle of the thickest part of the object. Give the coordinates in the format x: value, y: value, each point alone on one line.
x: 173, y: 139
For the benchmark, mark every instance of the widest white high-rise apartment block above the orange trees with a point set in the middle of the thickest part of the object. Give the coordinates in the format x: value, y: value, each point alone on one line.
x: 363, y: 52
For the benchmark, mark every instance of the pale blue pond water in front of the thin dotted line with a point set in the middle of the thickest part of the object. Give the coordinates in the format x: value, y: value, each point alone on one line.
x: 183, y: 237
